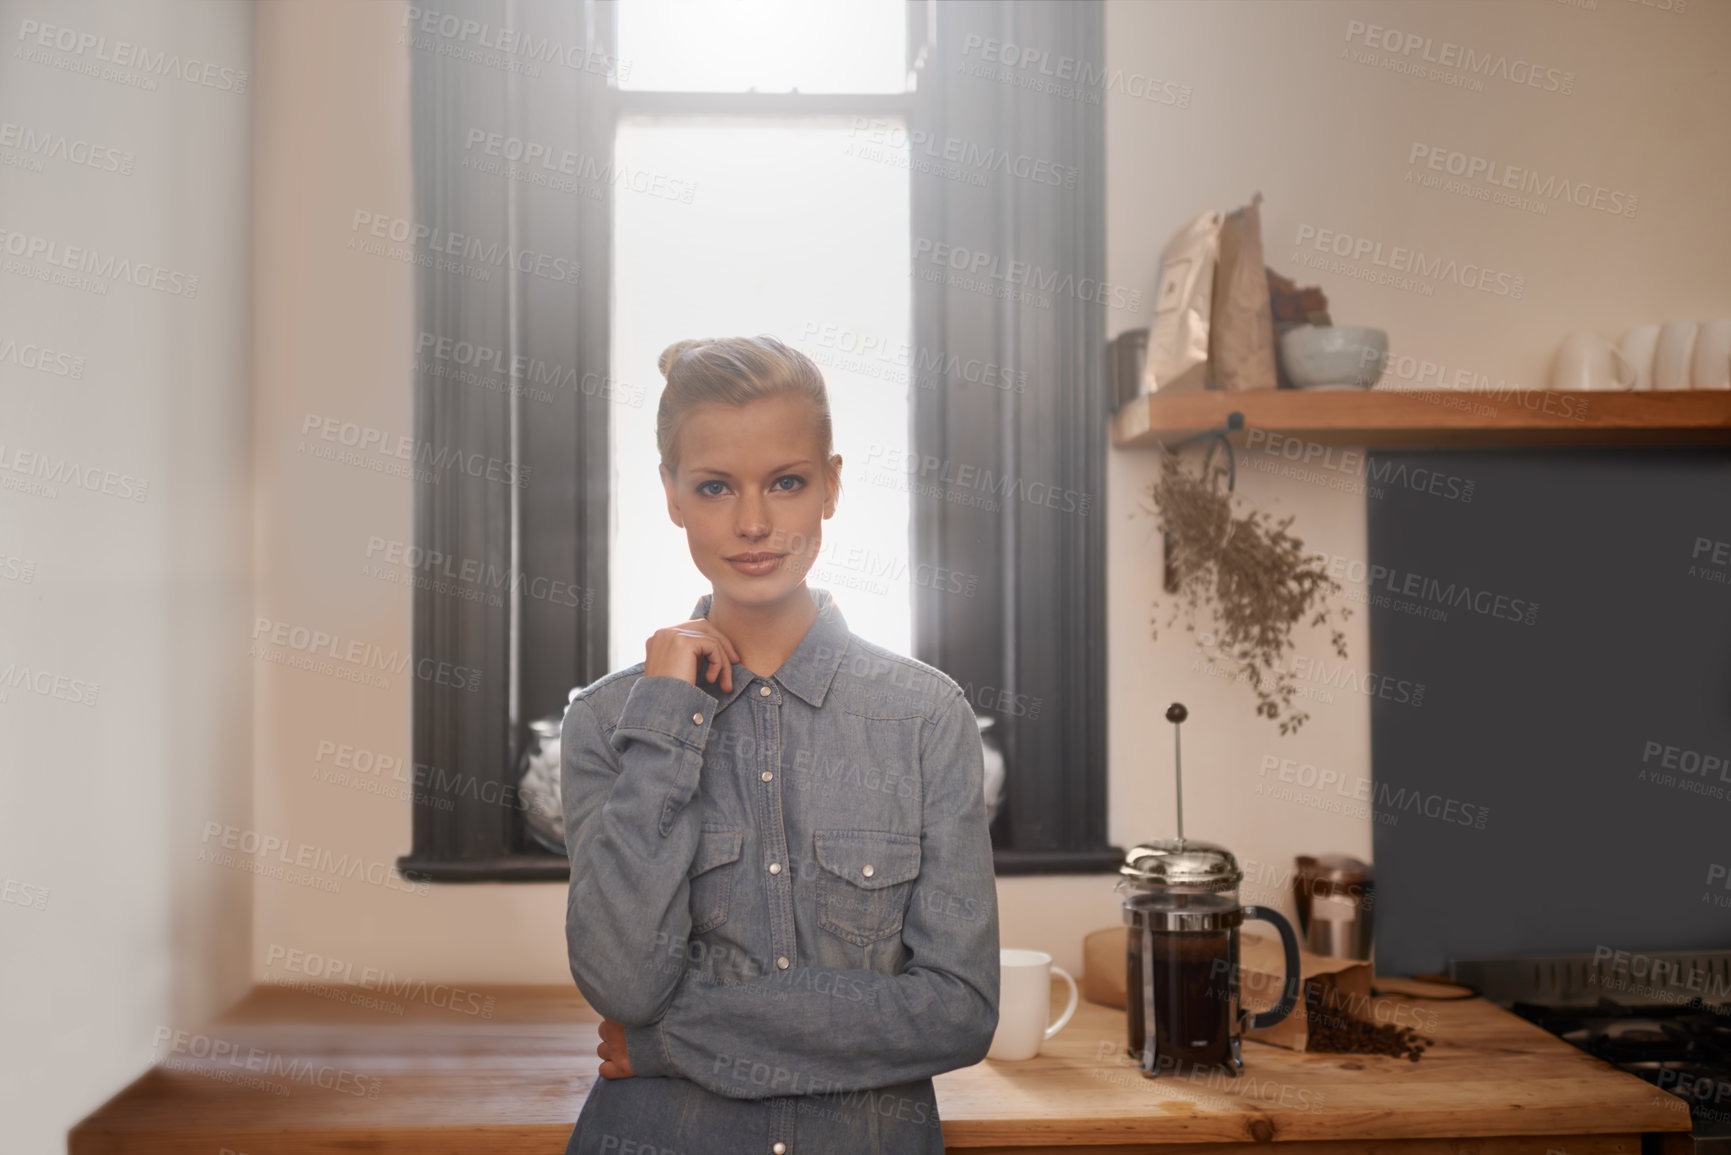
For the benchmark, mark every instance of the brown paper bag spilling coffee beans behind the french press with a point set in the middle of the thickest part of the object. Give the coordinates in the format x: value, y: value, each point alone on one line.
x: 1337, y: 988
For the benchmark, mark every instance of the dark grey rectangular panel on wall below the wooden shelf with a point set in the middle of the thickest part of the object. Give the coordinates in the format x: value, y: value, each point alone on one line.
x: 1562, y: 778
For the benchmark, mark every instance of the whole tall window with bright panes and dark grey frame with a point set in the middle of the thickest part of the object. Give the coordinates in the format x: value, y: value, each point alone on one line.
x: 764, y: 167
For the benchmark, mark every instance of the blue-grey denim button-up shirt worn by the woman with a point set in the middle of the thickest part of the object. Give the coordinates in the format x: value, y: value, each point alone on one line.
x: 785, y: 894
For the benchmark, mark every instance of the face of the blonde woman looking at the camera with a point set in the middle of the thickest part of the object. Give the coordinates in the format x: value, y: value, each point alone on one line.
x: 750, y: 484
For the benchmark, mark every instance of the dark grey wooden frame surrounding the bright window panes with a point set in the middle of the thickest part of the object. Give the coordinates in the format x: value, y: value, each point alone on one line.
x: 1036, y: 628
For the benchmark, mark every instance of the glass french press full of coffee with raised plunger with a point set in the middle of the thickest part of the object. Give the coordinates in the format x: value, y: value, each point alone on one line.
x: 1181, y: 974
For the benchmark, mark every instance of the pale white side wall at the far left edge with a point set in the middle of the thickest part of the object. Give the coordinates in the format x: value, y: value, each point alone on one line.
x: 141, y: 605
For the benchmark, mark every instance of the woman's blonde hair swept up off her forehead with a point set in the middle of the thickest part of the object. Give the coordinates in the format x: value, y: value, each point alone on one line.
x: 735, y: 371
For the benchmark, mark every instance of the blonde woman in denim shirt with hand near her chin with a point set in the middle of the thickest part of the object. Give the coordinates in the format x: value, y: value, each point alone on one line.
x: 782, y: 881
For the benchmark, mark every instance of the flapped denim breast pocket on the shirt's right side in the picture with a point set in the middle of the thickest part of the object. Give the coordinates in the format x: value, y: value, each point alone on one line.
x: 865, y: 884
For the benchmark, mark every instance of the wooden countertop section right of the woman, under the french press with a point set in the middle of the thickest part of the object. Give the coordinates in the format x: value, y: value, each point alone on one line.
x: 1493, y: 1080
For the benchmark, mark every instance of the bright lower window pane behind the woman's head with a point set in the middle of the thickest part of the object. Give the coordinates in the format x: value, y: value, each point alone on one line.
x: 797, y: 231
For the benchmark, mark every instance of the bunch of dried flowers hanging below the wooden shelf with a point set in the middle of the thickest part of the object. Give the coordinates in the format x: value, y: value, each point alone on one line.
x: 1256, y: 576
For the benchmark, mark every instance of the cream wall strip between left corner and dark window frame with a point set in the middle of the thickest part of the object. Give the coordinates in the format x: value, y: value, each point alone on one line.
x: 335, y: 337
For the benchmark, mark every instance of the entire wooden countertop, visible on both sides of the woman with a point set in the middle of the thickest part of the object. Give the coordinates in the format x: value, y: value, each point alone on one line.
x: 344, y: 1069
